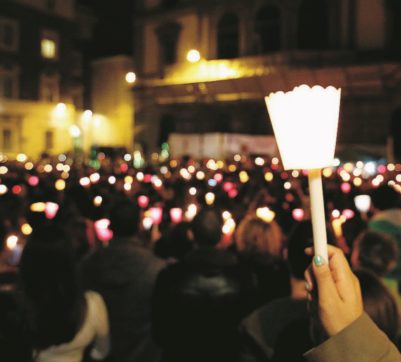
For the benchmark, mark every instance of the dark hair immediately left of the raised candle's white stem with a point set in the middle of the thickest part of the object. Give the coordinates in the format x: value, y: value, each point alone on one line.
x: 300, y: 238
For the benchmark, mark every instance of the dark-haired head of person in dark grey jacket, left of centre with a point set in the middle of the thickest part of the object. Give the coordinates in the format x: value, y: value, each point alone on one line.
x: 124, y: 219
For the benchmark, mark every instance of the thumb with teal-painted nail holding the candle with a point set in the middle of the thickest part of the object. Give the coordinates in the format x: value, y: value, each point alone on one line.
x: 326, y: 286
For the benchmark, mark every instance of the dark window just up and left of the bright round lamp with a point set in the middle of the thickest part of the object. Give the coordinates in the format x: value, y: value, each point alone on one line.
x: 168, y: 38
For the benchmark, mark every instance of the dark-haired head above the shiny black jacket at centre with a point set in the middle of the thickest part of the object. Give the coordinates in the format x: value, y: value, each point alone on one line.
x: 207, y: 227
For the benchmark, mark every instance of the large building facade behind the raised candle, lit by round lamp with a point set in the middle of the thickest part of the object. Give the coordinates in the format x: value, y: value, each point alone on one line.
x: 248, y: 49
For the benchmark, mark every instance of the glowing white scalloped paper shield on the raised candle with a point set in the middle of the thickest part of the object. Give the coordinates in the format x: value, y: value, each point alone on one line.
x: 305, y: 122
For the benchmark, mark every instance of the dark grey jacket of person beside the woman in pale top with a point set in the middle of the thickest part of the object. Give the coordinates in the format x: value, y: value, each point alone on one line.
x: 124, y: 273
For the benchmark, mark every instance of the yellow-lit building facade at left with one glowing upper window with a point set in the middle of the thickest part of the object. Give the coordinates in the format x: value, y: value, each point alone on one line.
x: 41, y: 78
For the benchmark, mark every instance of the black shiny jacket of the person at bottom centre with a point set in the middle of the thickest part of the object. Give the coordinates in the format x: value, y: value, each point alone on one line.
x: 198, y: 304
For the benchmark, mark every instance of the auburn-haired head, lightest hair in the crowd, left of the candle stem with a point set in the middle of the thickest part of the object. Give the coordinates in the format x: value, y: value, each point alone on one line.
x: 255, y: 236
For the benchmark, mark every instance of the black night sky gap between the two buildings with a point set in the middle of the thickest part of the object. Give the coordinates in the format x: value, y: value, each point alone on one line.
x: 113, y: 29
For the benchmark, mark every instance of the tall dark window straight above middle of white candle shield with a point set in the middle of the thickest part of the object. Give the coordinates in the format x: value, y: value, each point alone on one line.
x: 313, y: 32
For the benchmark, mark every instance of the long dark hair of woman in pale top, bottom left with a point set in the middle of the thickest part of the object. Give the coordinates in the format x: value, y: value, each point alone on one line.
x: 53, y: 298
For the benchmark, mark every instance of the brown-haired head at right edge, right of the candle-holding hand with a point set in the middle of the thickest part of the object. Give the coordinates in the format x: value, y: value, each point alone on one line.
x: 374, y: 251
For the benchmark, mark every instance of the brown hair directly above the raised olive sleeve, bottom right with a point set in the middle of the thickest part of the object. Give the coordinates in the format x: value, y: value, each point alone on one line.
x: 379, y: 303
